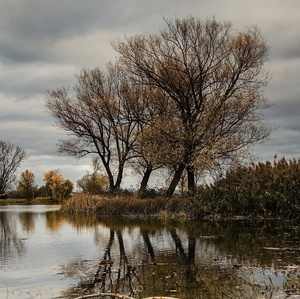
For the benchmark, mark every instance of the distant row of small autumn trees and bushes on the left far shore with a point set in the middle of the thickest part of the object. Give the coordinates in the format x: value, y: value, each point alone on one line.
x: 55, y: 188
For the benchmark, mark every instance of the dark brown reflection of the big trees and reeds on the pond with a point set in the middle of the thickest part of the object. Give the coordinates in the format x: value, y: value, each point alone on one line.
x: 193, y: 259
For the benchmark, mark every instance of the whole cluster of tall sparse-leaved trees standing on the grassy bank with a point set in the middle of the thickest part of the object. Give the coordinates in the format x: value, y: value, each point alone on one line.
x: 185, y: 100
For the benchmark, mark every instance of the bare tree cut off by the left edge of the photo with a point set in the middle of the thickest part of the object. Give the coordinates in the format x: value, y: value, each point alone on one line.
x: 11, y: 157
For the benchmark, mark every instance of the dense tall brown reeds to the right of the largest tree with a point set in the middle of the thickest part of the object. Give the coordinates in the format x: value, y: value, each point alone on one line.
x: 262, y: 189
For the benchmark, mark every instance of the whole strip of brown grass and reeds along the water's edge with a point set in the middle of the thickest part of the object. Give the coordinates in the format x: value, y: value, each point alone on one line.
x: 262, y: 190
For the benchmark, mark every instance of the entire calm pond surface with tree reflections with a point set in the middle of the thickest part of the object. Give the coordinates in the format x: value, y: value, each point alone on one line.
x: 45, y: 254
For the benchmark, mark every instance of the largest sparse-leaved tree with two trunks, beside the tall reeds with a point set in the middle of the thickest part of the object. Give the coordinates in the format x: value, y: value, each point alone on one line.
x: 212, y: 79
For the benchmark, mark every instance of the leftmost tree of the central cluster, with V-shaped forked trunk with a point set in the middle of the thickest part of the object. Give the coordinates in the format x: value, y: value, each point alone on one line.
x: 98, y: 114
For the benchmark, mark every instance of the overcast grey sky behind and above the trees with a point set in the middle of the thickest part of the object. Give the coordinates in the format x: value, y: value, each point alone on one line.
x: 45, y: 43
